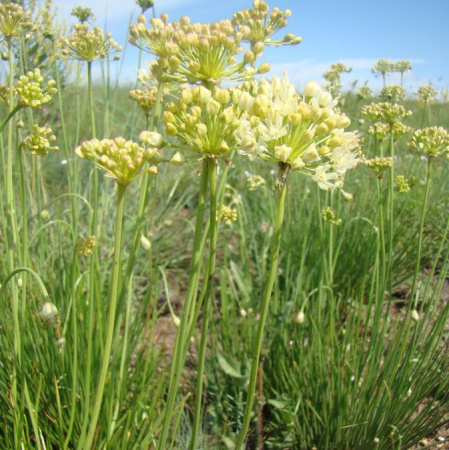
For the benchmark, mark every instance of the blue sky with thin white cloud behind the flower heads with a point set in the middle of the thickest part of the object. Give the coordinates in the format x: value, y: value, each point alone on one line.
x: 357, y: 32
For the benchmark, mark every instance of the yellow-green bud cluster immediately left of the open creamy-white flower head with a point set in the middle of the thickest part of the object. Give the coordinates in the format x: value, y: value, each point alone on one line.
x: 206, y: 122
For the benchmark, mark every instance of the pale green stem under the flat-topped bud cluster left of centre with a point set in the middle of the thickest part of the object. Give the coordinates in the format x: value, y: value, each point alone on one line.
x: 111, y: 317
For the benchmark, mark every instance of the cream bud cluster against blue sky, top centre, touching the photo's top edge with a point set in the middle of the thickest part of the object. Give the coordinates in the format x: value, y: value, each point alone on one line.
x: 258, y: 25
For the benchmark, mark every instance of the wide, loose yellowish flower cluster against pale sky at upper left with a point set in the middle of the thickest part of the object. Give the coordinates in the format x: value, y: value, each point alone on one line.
x: 85, y: 45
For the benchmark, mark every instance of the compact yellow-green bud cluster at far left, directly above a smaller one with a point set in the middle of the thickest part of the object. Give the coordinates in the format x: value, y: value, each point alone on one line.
x: 32, y: 90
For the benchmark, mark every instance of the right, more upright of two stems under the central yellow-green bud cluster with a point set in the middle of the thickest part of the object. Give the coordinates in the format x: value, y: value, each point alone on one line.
x: 212, y: 174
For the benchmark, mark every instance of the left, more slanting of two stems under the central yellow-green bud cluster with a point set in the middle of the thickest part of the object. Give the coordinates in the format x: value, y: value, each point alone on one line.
x: 189, y: 306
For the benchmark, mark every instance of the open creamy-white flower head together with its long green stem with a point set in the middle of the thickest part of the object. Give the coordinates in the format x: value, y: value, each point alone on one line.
x: 300, y: 134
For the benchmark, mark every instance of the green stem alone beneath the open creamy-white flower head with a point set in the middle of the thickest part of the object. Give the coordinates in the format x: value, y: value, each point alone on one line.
x: 264, y: 311
